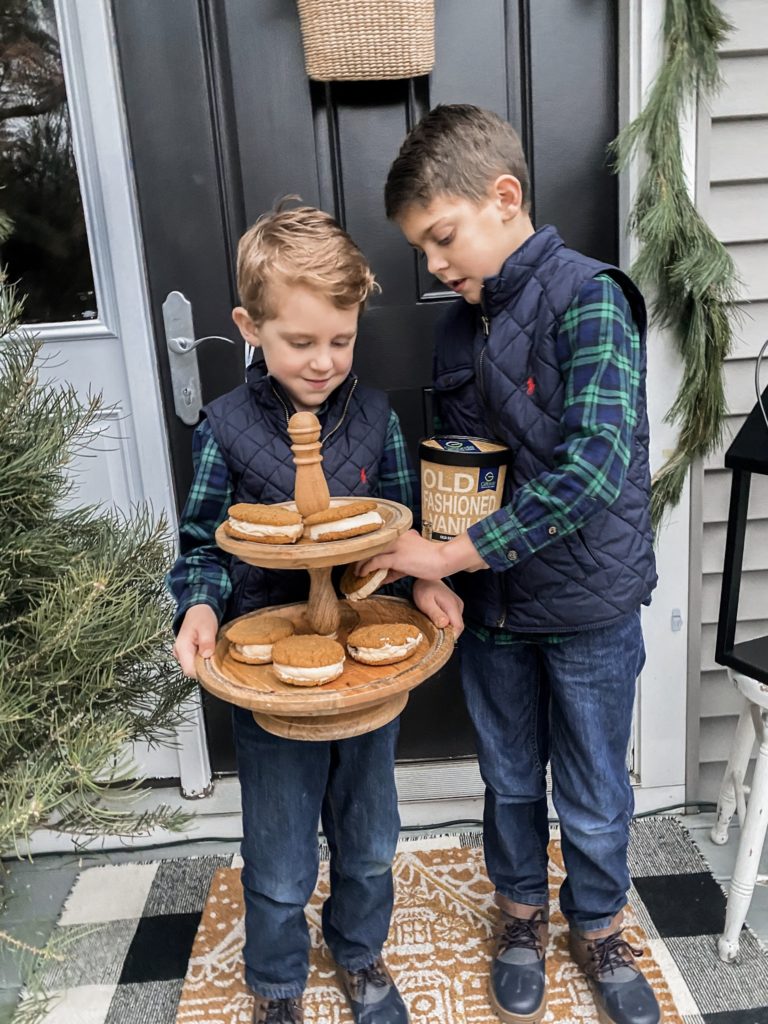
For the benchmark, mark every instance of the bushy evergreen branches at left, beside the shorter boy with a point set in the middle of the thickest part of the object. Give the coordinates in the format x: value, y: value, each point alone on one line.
x: 86, y: 645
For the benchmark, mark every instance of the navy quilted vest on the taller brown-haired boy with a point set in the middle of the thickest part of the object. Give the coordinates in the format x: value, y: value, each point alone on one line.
x: 607, y: 569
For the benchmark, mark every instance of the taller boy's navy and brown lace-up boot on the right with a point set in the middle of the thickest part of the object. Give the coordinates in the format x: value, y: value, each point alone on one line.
x: 621, y: 992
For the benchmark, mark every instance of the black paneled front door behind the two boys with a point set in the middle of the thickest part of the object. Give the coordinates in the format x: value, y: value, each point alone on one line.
x: 224, y: 122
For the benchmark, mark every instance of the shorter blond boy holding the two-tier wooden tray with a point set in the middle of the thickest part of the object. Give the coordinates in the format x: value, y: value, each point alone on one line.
x: 303, y: 283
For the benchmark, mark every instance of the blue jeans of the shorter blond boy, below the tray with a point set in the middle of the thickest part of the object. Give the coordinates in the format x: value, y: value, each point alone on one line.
x: 289, y: 786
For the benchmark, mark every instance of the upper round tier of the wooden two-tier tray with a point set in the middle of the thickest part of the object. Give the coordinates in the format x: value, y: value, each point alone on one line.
x: 308, y: 554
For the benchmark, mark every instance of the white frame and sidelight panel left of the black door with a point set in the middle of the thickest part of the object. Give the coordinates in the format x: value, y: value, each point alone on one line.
x: 117, y: 353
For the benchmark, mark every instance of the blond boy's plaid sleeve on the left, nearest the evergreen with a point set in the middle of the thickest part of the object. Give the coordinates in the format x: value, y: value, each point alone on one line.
x: 201, y: 574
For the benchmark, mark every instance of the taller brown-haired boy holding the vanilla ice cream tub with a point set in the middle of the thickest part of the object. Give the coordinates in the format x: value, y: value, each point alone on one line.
x: 545, y: 354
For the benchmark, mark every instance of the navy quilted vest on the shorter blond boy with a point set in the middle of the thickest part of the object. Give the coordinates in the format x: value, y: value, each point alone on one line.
x: 250, y: 425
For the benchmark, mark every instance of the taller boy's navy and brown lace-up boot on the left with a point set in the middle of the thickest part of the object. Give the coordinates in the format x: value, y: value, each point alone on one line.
x: 519, y: 979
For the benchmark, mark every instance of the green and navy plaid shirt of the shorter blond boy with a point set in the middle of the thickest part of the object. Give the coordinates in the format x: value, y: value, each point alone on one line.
x: 201, y: 574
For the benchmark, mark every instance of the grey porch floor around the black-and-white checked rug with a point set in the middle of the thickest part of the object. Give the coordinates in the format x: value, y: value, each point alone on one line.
x: 36, y: 891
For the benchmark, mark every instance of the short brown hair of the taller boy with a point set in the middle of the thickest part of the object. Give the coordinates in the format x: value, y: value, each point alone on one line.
x: 456, y: 150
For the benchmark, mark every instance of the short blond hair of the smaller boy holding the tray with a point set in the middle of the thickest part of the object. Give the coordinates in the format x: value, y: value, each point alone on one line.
x: 301, y: 247
